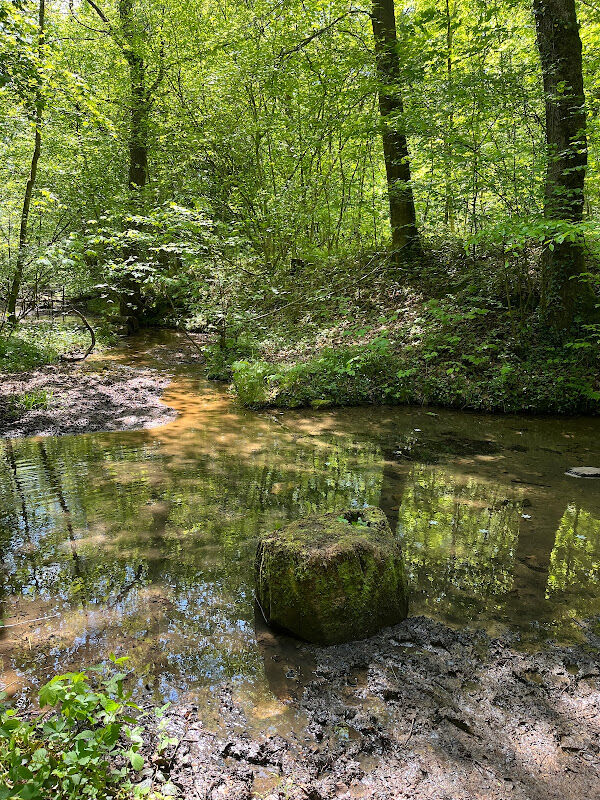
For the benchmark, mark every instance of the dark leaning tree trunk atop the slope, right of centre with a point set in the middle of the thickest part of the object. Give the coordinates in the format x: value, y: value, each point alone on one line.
x: 403, y: 218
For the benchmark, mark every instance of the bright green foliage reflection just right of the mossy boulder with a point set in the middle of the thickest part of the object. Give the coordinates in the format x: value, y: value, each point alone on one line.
x: 459, y: 541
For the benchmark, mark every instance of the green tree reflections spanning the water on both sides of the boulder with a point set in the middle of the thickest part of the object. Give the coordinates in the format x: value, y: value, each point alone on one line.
x: 136, y: 542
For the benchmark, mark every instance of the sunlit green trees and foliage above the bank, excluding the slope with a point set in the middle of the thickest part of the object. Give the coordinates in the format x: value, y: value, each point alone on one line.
x: 185, y: 145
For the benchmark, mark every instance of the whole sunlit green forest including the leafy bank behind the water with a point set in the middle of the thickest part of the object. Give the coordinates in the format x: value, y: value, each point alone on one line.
x: 416, y: 184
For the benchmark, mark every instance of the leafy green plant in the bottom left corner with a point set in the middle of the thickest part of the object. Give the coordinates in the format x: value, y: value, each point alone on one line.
x: 85, y: 748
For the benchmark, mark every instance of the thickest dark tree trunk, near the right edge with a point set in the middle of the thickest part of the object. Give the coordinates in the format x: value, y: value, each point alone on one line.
x: 559, y: 45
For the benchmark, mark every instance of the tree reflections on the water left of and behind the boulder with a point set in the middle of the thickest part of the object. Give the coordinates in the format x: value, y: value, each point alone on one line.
x: 134, y: 546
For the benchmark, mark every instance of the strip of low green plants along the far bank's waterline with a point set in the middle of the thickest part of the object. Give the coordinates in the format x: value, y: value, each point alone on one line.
x: 451, y: 374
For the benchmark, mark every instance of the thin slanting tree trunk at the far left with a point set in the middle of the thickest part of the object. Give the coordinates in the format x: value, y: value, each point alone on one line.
x: 15, y: 287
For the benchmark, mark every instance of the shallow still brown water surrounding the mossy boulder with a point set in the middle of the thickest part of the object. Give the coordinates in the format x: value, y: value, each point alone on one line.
x: 143, y: 543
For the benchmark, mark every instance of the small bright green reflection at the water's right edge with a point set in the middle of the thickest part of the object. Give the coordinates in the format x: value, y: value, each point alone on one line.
x: 575, y: 559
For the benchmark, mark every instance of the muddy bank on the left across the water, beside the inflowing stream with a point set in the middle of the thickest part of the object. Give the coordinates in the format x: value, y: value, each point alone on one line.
x: 116, y: 391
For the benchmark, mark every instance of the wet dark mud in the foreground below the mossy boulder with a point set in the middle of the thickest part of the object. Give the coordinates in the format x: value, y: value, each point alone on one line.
x: 420, y: 711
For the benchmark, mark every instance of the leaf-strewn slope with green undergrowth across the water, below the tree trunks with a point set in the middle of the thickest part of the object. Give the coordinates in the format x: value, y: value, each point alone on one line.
x: 417, y: 340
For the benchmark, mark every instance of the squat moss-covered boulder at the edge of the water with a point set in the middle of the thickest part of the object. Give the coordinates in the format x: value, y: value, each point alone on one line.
x: 332, y: 578
